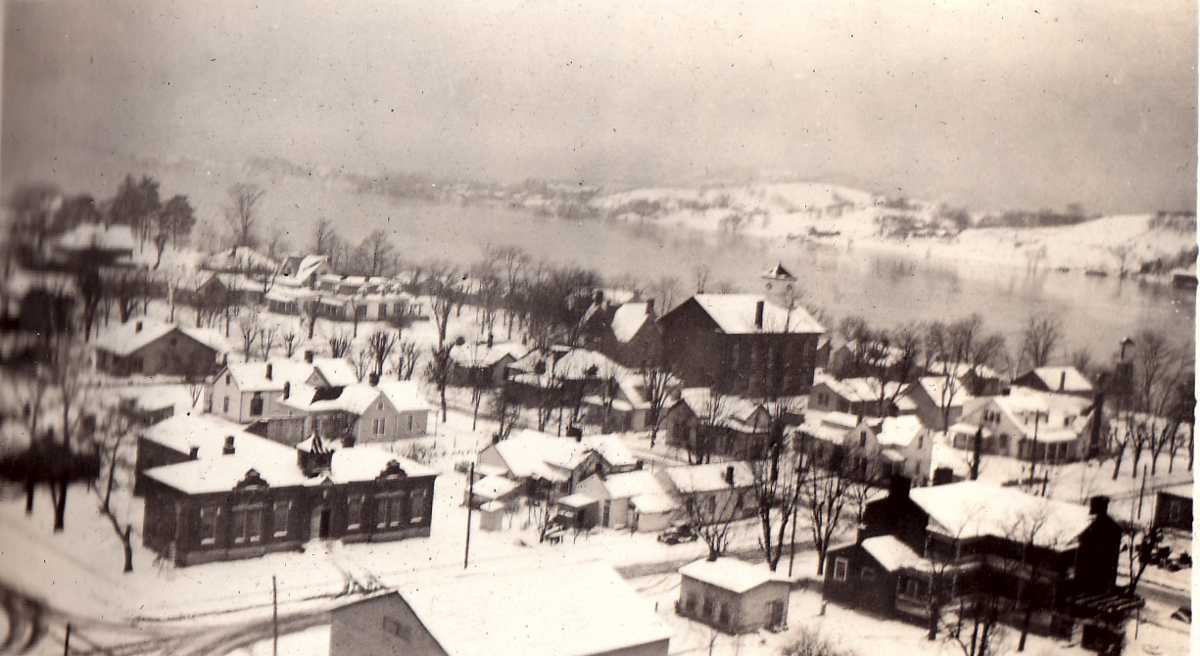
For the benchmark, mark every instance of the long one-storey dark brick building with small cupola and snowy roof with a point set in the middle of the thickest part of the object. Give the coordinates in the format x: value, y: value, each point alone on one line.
x: 218, y: 493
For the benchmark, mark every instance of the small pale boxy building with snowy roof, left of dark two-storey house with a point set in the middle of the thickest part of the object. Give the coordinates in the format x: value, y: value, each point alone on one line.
x: 733, y: 595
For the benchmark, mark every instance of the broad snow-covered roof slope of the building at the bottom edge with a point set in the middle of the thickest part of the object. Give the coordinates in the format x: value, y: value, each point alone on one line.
x: 567, y: 610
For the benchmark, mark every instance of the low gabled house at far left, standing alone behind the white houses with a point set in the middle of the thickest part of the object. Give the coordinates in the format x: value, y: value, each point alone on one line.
x: 148, y: 347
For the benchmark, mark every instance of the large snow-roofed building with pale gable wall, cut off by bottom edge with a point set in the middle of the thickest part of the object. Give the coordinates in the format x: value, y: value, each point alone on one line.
x: 577, y: 609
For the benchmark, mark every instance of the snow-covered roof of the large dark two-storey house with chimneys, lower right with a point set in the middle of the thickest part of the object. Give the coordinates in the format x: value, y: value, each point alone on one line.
x: 974, y: 509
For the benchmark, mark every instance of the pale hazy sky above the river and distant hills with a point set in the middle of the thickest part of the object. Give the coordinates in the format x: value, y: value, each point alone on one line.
x: 993, y: 106
